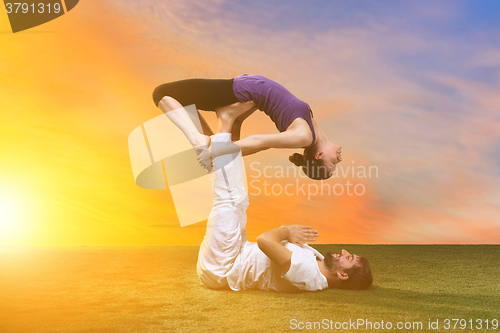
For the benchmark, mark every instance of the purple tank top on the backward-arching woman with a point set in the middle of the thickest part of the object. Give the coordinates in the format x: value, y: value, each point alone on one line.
x: 272, y: 98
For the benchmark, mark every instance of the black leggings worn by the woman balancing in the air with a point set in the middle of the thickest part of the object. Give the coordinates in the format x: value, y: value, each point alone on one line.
x: 207, y: 94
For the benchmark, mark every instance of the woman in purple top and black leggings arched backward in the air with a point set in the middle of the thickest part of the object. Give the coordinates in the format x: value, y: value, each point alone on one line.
x: 234, y: 100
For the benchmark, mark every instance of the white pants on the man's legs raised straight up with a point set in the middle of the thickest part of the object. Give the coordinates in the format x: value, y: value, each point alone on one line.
x: 226, y: 227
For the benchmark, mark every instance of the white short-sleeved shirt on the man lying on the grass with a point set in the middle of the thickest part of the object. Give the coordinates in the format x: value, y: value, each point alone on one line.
x: 254, y: 270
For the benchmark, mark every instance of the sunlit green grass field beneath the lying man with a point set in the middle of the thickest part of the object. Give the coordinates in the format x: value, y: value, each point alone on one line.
x: 155, y: 289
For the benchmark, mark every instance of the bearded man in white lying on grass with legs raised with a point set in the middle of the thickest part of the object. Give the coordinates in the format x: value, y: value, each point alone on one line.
x: 280, y: 260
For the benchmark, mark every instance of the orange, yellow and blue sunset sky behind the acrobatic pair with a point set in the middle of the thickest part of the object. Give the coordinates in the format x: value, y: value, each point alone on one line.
x: 409, y: 88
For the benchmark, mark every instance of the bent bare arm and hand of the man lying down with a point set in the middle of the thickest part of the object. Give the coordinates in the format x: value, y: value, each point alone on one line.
x: 270, y: 242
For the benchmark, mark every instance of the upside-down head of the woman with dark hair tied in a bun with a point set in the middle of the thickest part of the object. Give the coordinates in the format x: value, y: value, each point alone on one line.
x: 318, y: 161
